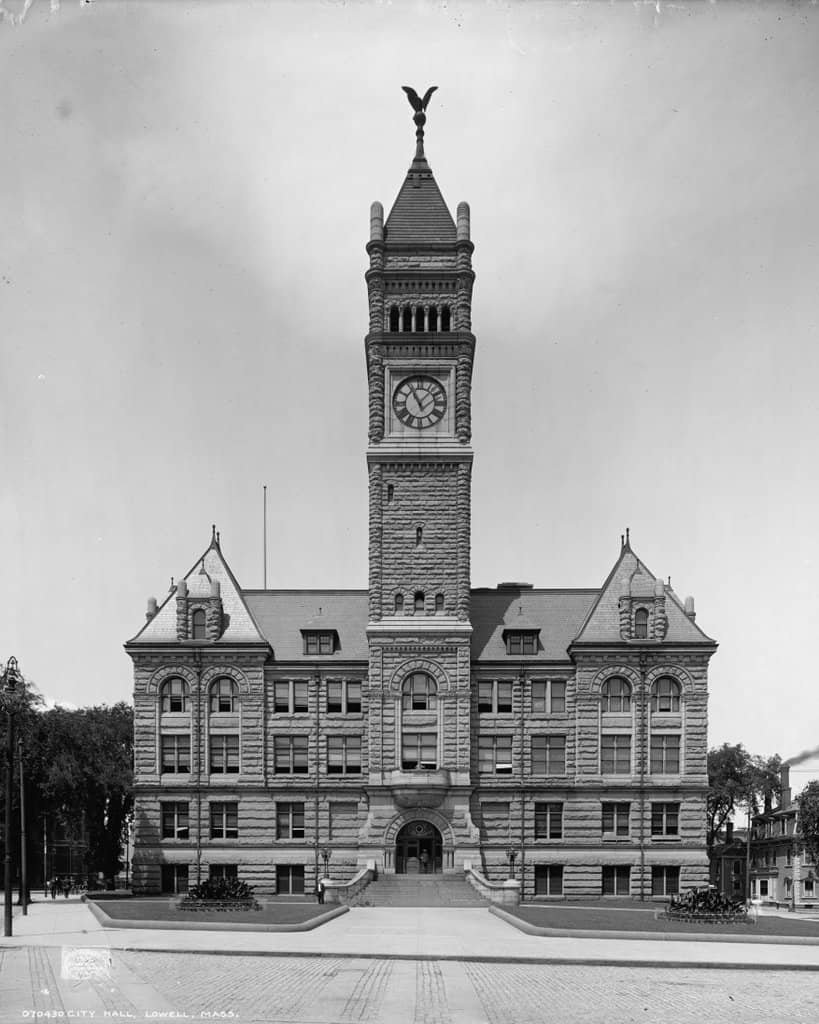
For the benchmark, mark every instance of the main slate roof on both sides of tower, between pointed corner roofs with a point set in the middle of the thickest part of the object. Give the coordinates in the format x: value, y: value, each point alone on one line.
x: 282, y: 616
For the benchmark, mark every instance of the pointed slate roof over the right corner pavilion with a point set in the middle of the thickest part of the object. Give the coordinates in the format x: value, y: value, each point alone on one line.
x: 630, y: 576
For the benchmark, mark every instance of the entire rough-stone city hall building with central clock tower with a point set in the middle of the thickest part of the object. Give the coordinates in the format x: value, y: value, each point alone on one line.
x: 422, y: 724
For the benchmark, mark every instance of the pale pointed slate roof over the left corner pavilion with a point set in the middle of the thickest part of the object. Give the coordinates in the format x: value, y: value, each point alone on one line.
x: 241, y: 626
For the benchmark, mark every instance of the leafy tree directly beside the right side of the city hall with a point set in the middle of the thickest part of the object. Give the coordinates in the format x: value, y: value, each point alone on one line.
x: 738, y: 778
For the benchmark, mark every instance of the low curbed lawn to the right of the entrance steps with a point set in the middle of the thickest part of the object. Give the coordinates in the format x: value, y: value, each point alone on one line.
x: 639, y: 918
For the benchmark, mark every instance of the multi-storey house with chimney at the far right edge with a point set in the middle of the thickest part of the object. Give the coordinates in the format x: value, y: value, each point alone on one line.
x: 782, y: 871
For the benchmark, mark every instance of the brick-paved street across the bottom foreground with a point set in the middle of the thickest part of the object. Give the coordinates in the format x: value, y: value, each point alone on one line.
x: 144, y: 986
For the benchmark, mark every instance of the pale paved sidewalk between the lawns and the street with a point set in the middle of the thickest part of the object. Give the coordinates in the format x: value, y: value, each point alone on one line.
x: 400, y: 932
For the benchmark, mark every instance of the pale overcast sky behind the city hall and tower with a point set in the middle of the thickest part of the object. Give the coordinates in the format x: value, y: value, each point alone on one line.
x: 185, y: 208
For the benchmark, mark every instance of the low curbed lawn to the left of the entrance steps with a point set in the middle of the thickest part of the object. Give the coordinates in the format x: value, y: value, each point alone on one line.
x: 148, y: 909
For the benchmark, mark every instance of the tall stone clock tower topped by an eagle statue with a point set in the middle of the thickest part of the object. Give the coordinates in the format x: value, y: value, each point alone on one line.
x: 420, y: 352
